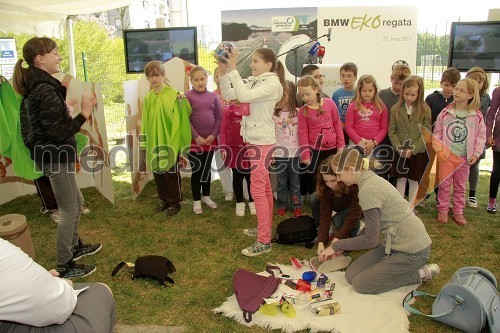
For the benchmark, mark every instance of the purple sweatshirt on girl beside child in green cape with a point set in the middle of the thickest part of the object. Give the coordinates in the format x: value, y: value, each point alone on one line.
x: 206, y: 116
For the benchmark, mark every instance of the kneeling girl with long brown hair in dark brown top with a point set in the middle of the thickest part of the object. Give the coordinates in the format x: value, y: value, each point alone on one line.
x: 333, y: 195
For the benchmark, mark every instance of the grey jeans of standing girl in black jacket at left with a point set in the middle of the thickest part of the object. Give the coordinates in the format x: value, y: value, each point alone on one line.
x: 69, y: 200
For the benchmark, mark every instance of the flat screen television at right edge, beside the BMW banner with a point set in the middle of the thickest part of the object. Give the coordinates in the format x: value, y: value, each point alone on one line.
x: 475, y: 44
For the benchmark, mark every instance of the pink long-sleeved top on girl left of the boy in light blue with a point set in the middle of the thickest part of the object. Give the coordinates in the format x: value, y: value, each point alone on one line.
x: 320, y: 131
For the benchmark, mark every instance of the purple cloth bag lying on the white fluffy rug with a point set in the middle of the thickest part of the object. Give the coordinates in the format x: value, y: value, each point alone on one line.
x: 251, y: 289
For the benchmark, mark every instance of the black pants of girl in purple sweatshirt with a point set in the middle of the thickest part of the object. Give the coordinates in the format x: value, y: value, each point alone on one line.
x: 201, y: 174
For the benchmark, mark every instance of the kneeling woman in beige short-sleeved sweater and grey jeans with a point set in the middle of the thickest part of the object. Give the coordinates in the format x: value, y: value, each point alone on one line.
x: 400, y: 260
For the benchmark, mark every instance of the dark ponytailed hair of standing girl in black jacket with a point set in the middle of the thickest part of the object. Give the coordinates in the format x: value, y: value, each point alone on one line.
x: 34, y: 47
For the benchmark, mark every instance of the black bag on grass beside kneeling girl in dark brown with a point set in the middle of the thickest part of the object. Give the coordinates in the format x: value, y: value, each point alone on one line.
x: 296, y: 230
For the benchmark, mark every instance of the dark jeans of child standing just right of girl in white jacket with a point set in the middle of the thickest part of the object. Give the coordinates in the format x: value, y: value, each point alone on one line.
x: 287, y: 170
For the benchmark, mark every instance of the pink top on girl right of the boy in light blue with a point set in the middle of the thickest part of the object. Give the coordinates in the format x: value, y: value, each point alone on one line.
x: 372, y: 125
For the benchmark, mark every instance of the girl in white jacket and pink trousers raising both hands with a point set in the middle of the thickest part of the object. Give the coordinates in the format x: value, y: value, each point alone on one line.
x: 263, y: 90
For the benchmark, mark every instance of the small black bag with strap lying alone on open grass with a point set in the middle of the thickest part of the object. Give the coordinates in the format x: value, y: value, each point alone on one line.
x: 156, y: 267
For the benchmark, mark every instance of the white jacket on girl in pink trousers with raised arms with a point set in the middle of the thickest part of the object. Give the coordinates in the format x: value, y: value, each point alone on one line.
x: 262, y: 92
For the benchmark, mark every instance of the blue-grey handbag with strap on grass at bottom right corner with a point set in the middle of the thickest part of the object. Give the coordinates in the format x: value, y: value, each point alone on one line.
x: 467, y: 302
